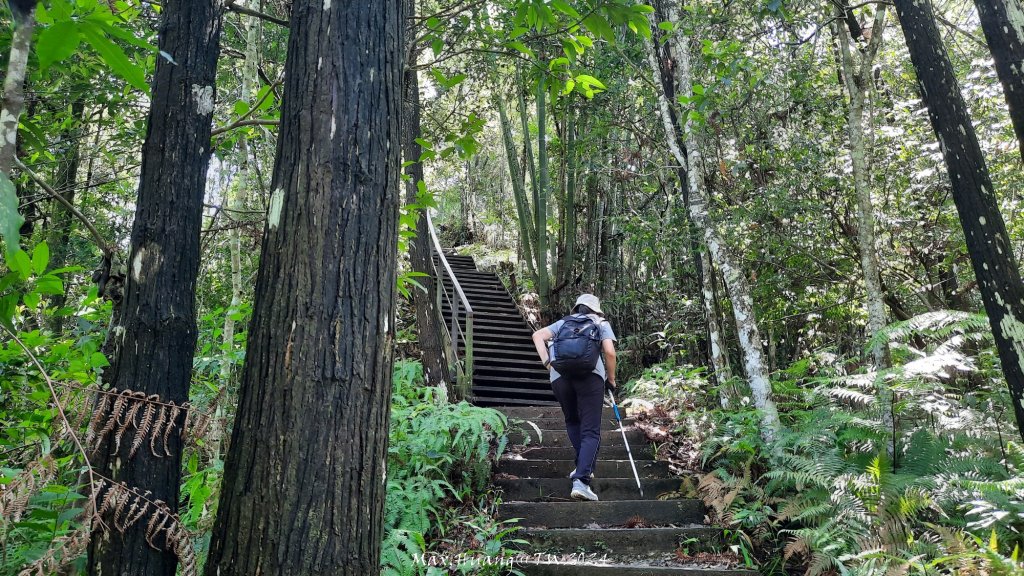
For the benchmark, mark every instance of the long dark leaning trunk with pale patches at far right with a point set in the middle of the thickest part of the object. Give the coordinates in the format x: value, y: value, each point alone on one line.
x: 988, y: 242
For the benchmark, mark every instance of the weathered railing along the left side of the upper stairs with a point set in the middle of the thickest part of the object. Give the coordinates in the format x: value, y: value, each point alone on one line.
x: 457, y: 333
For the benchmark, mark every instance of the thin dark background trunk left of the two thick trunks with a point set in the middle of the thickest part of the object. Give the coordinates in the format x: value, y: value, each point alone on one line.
x: 62, y: 221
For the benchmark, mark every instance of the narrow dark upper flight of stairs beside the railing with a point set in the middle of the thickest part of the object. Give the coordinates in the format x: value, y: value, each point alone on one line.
x: 506, y: 368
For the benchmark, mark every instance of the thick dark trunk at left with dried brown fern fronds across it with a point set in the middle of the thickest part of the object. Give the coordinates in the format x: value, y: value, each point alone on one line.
x: 155, y: 338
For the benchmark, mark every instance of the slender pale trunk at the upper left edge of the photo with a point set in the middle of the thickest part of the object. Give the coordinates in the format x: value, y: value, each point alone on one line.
x: 14, y: 87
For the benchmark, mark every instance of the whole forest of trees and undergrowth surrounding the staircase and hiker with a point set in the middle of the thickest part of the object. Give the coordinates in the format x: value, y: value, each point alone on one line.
x: 803, y: 218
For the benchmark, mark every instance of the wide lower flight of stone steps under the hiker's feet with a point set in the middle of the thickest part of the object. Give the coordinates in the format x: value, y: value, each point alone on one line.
x: 622, y: 534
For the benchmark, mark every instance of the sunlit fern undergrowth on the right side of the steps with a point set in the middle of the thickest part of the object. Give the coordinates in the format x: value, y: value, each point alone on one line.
x: 941, y: 491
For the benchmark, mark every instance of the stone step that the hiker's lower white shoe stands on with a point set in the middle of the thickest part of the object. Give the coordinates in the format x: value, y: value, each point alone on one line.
x: 604, y: 514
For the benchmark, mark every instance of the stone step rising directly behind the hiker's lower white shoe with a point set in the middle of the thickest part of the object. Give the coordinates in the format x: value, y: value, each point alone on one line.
x: 609, y: 489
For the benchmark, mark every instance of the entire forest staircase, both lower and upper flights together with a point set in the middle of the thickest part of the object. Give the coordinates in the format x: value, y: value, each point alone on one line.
x: 624, y: 533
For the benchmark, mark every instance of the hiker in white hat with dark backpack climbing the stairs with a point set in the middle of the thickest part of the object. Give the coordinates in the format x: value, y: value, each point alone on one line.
x: 580, y: 352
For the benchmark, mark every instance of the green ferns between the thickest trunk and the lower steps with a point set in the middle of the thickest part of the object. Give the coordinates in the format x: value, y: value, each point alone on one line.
x: 440, y: 462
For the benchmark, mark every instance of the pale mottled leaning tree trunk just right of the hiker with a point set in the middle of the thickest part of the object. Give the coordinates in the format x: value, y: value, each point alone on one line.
x: 737, y: 284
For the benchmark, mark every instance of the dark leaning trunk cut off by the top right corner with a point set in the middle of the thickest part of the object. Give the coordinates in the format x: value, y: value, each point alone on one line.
x: 1003, y: 22
